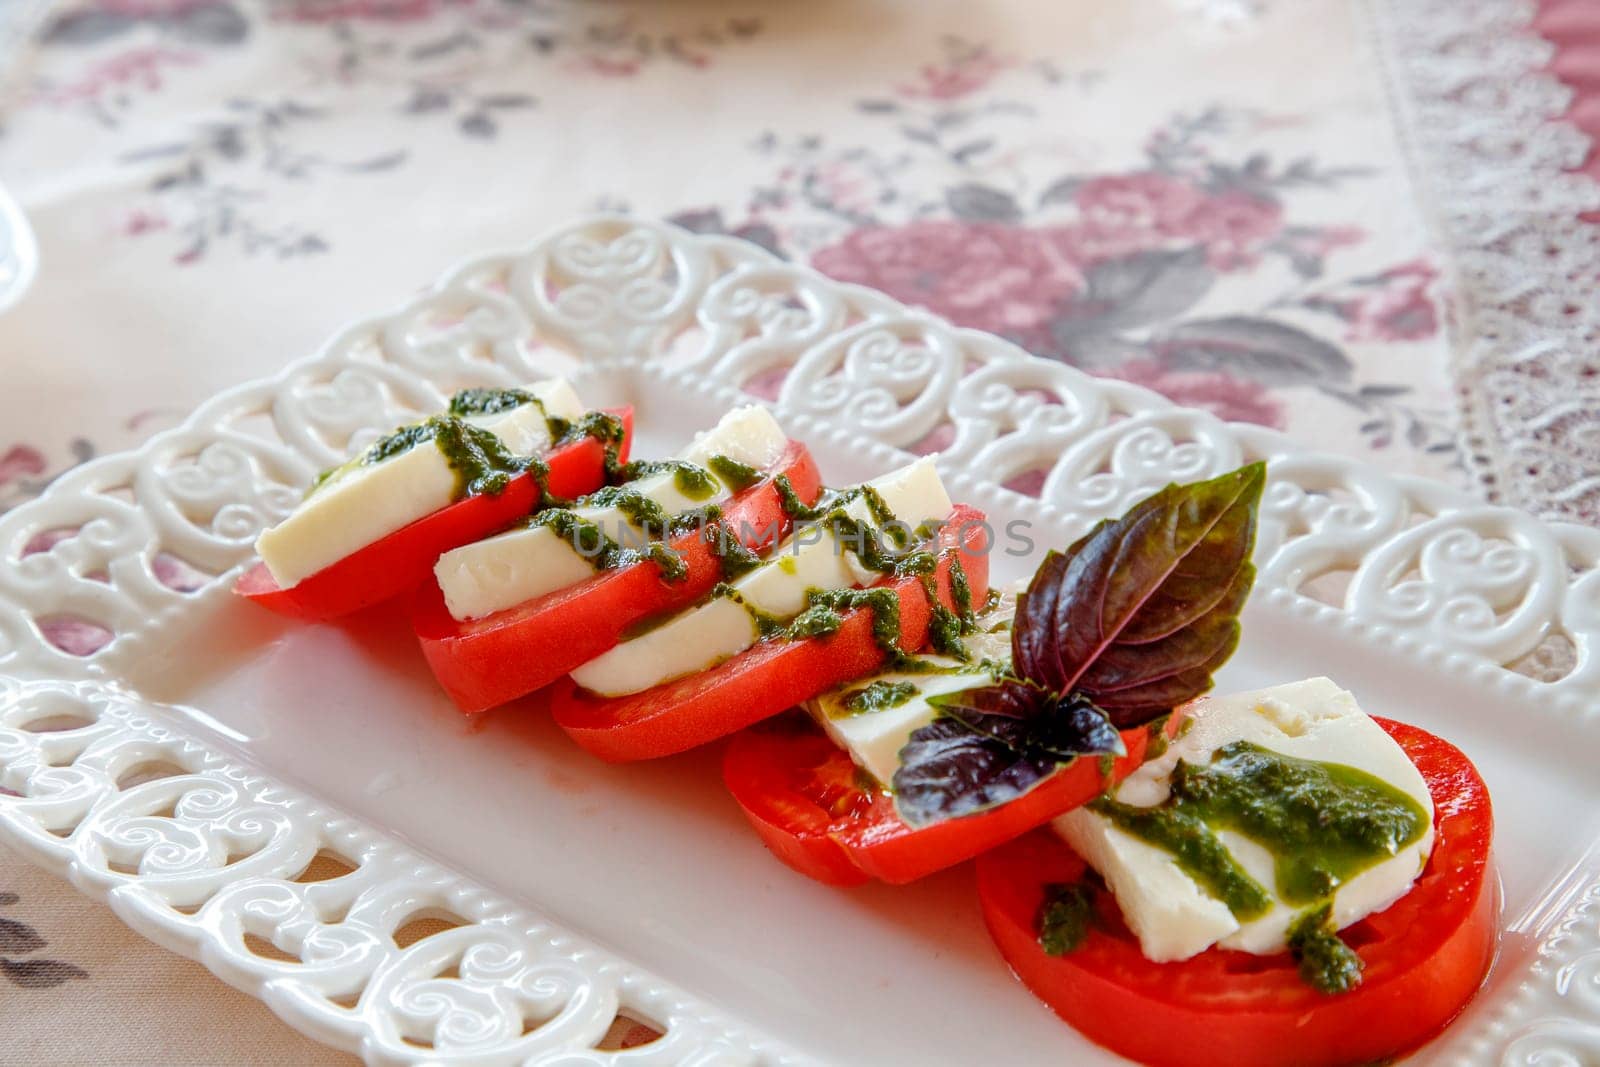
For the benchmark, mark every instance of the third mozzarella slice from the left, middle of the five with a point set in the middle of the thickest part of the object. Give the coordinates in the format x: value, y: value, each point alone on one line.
x: 722, y: 628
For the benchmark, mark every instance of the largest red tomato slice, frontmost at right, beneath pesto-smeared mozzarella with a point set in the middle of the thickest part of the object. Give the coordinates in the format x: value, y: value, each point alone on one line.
x: 1425, y: 956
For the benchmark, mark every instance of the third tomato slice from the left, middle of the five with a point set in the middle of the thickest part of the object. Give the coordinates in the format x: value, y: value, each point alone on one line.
x: 770, y: 676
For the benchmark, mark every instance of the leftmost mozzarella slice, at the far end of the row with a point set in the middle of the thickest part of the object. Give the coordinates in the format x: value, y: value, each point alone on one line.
x: 366, y: 503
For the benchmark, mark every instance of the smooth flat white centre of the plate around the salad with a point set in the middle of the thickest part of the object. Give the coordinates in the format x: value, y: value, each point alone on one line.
x: 657, y: 861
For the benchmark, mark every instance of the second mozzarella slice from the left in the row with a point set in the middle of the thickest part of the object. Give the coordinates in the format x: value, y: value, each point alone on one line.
x: 529, y: 562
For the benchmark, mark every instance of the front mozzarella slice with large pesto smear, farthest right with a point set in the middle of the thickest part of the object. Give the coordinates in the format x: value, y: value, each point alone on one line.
x: 1170, y: 914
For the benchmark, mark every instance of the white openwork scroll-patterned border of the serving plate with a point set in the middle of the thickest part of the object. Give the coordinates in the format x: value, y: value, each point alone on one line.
x: 206, y: 857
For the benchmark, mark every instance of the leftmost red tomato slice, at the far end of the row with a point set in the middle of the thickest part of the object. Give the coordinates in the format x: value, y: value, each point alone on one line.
x: 404, y: 561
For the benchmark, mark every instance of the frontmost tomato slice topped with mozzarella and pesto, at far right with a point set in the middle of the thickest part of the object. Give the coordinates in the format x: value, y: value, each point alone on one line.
x: 1292, y: 882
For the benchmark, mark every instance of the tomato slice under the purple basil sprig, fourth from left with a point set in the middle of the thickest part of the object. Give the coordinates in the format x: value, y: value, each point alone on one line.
x: 814, y: 810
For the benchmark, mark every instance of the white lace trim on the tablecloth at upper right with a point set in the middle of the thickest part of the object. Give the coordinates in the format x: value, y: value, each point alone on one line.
x: 1495, y: 158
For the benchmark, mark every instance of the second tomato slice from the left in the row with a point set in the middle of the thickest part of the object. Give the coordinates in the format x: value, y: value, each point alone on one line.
x: 498, y: 658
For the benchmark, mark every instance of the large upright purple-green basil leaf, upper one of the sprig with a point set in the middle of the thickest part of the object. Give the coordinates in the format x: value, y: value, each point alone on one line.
x: 1142, y: 610
